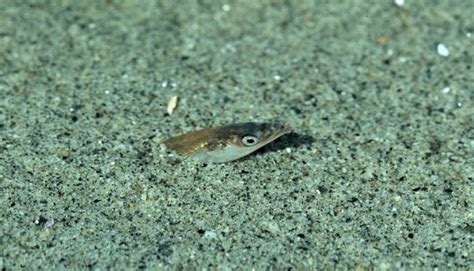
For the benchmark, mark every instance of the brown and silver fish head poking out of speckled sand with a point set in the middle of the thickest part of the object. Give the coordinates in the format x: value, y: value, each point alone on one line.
x: 226, y: 143
